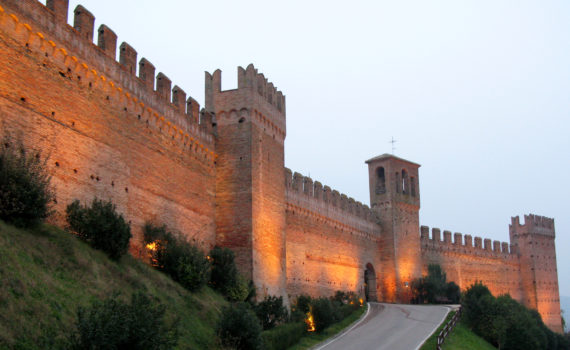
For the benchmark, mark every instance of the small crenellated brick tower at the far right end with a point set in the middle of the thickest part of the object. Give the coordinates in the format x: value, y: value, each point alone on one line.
x: 534, y: 244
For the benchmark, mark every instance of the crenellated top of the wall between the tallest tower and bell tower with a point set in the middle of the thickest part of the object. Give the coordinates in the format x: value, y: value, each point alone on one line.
x: 311, y: 195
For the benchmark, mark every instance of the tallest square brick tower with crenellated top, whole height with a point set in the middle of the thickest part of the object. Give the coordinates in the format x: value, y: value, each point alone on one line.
x: 250, y: 192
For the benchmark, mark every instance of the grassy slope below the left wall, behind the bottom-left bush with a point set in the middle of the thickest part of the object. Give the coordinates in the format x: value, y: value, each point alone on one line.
x: 46, y: 274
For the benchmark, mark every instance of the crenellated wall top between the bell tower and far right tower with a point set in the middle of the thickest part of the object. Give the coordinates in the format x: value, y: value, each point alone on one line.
x: 463, y: 244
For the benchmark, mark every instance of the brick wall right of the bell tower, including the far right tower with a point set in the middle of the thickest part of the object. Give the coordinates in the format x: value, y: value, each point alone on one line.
x: 525, y: 269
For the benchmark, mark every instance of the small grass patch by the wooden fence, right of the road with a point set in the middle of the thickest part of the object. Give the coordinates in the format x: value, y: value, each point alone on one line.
x: 461, y: 338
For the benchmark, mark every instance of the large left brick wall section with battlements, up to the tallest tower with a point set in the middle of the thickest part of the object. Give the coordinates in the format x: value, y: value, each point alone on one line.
x: 108, y: 132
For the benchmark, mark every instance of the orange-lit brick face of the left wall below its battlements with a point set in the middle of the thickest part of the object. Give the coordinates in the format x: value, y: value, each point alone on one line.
x: 100, y: 141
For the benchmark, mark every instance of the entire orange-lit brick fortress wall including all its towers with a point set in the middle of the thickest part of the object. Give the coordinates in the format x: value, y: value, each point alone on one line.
x: 218, y: 176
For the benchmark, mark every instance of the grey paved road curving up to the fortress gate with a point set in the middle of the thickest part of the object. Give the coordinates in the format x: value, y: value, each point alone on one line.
x: 390, y: 327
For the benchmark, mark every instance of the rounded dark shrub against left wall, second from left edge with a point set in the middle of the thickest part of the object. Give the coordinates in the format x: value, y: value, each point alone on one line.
x: 101, y: 226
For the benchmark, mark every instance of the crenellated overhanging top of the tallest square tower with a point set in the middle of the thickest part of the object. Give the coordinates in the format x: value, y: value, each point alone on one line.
x: 255, y: 92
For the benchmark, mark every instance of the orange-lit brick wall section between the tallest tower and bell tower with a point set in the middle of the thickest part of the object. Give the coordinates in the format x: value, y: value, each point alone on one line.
x: 330, y: 240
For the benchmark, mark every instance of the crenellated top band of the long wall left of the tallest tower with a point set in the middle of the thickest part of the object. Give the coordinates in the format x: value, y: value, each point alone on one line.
x: 44, y: 29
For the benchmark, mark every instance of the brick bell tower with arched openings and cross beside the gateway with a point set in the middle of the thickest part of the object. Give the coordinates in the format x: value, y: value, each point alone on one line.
x: 395, y: 197
